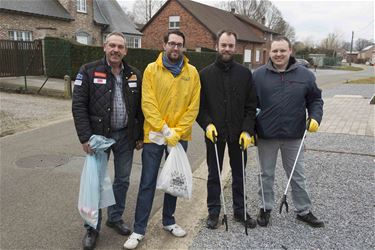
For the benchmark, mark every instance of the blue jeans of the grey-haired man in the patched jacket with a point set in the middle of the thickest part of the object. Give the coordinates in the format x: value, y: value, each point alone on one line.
x: 123, y: 159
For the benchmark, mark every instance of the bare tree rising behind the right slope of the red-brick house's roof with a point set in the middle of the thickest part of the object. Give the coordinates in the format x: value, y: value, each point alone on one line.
x: 259, y: 9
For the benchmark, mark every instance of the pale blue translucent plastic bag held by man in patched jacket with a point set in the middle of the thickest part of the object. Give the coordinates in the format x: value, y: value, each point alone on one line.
x: 95, y: 188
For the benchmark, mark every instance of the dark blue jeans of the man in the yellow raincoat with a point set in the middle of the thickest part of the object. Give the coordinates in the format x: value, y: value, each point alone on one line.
x: 151, y: 158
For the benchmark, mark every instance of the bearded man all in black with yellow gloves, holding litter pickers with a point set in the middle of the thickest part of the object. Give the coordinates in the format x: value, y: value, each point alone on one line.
x: 227, y: 110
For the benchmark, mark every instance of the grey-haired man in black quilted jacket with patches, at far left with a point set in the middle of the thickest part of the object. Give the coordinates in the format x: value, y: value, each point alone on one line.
x: 107, y: 101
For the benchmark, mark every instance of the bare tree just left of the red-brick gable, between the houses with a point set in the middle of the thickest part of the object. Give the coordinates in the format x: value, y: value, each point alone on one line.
x: 143, y: 10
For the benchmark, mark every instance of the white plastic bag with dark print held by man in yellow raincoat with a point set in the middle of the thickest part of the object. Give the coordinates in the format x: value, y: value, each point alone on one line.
x: 176, y: 177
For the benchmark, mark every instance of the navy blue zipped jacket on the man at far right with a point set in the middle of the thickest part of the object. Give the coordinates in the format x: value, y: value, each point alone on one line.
x: 283, y: 98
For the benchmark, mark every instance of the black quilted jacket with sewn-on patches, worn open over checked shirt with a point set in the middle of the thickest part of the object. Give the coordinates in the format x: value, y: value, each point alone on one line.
x: 93, y: 100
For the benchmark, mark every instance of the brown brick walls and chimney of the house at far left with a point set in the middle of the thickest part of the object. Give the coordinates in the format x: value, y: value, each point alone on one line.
x: 42, y: 26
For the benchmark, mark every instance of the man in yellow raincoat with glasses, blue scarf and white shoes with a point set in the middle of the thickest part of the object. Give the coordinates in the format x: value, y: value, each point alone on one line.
x: 170, y: 103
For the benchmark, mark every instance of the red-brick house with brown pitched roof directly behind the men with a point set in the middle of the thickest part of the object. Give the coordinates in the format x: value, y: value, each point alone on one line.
x: 200, y: 24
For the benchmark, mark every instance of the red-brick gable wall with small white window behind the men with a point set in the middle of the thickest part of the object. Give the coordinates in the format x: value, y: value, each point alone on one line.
x: 196, y: 34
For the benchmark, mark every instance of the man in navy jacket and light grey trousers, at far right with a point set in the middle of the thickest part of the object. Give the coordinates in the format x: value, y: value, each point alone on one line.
x: 285, y: 91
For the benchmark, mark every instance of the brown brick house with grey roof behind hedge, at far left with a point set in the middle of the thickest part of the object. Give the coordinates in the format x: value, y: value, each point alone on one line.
x: 86, y: 21
